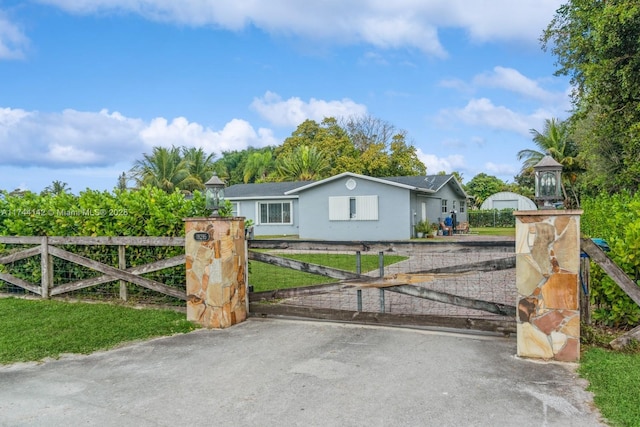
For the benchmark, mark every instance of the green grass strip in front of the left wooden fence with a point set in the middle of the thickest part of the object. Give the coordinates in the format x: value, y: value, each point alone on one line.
x: 33, y: 330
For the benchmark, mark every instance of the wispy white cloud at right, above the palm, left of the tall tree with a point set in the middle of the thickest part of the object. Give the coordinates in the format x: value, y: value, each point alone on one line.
x: 482, y: 112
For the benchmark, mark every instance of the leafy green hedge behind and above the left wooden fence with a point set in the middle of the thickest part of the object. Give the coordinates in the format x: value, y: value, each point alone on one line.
x: 145, y: 212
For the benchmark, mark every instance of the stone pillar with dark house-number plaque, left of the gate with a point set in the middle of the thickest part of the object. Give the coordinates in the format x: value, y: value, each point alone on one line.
x: 216, y: 264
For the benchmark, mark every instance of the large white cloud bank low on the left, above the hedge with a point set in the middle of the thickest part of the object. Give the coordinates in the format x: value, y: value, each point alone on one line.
x: 98, y: 139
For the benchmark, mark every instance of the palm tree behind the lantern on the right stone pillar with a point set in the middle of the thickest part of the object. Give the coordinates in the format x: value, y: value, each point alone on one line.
x: 555, y: 140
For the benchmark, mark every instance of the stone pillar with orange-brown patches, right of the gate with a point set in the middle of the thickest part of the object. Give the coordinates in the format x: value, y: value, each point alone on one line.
x: 547, y: 278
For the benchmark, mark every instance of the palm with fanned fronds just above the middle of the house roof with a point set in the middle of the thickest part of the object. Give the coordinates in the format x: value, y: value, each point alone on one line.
x: 303, y: 164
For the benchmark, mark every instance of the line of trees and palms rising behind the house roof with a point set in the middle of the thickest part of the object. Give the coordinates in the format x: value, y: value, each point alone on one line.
x: 364, y: 145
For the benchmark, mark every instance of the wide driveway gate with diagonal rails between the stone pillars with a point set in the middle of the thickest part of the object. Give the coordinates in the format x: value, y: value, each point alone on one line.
x: 467, y: 284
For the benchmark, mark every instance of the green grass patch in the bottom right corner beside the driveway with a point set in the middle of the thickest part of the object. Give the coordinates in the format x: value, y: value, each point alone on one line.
x: 614, y: 379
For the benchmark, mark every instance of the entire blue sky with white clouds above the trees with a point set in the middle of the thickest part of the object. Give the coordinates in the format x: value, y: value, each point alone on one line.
x: 87, y: 87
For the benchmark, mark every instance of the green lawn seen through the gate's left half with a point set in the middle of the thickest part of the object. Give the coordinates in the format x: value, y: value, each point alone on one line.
x: 266, y: 277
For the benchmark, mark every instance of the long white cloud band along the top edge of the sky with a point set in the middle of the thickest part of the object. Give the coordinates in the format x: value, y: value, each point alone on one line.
x: 403, y: 23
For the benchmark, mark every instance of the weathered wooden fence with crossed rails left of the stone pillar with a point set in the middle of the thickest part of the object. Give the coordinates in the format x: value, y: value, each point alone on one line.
x: 47, y: 247
